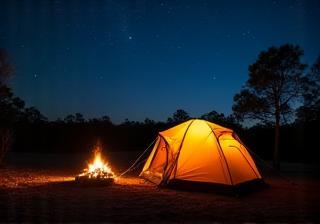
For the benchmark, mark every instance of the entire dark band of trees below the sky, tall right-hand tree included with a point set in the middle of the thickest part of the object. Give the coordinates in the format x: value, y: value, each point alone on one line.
x: 280, y: 101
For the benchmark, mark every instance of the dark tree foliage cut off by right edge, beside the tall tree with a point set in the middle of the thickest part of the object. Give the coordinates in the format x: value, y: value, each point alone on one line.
x: 310, y: 111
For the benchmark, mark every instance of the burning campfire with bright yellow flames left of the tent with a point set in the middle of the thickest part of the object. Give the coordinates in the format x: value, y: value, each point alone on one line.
x: 98, y: 171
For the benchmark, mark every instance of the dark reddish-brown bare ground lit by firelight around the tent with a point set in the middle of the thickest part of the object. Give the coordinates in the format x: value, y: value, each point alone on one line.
x: 45, y: 191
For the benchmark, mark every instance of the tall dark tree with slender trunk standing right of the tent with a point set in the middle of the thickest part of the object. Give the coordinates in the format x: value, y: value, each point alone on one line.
x: 272, y: 90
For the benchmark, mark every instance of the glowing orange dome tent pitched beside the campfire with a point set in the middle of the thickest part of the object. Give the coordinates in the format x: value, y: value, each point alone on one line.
x: 200, y: 151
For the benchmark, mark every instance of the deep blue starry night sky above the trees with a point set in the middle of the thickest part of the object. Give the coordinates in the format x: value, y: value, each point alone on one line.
x: 145, y: 58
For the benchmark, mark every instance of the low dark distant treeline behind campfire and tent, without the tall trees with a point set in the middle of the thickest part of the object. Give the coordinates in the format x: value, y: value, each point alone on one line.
x: 71, y: 136
